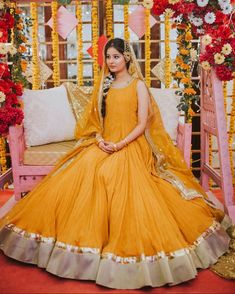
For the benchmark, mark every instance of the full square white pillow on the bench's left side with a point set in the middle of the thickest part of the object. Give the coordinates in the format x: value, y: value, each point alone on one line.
x: 48, y: 116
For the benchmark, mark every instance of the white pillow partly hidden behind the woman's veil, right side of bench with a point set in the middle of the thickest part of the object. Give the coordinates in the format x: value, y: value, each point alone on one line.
x: 167, y: 102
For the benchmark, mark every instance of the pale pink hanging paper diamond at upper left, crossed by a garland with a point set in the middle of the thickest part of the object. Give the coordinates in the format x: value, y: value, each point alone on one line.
x: 66, y: 22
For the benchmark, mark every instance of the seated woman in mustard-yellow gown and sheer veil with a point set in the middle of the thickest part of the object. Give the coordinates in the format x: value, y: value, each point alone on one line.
x: 122, y: 208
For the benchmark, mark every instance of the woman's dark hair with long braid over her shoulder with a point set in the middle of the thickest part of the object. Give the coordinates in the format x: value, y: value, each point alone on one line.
x: 119, y: 45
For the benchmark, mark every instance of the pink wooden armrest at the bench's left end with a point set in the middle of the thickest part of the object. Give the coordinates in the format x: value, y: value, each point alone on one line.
x: 16, y: 144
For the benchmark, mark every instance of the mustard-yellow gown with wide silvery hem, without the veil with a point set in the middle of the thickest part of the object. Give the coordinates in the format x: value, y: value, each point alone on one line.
x: 110, y: 218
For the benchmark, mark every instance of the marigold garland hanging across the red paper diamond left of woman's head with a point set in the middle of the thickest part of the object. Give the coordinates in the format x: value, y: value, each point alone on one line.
x: 94, y: 17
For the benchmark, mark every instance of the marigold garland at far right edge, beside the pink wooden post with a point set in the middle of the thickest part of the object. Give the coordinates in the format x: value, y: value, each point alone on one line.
x: 232, y: 131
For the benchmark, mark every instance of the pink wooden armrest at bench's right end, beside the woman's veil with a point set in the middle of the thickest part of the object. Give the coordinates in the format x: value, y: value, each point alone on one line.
x: 183, y: 140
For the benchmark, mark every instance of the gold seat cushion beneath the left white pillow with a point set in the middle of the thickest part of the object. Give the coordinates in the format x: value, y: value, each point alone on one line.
x: 47, y: 154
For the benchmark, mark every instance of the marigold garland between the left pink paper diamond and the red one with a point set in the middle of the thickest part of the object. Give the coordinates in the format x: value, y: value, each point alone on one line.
x: 79, y: 44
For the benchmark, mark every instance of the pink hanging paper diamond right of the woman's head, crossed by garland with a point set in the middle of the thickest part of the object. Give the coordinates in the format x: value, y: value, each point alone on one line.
x: 137, y: 21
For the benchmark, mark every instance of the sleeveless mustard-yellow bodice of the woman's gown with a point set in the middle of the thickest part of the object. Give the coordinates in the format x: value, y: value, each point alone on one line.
x: 121, y: 111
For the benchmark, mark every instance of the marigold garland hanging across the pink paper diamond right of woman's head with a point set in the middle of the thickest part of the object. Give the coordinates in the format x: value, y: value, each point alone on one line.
x: 147, y: 47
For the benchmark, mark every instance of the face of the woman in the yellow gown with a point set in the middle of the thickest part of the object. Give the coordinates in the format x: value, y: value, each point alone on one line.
x: 115, y: 60
